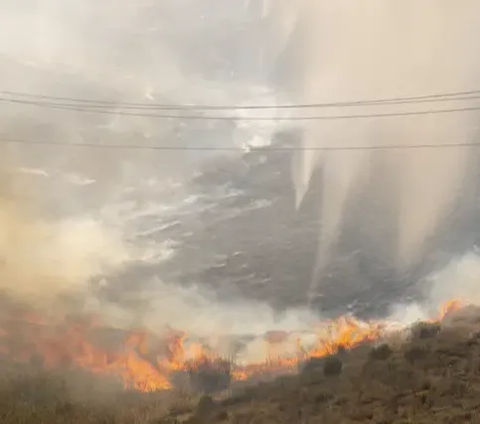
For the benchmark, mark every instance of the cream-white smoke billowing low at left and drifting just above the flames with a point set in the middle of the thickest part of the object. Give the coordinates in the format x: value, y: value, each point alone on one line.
x: 46, y: 261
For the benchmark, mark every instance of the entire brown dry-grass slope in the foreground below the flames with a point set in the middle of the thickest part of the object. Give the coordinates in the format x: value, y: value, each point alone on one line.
x: 432, y: 378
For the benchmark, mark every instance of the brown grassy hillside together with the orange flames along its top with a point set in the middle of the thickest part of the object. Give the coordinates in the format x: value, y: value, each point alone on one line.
x: 74, y: 370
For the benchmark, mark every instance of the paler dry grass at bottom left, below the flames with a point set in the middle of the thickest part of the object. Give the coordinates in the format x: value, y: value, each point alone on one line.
x: 63, y: 398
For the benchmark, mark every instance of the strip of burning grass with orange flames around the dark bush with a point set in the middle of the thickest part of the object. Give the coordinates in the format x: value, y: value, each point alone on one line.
x: 148, y: 363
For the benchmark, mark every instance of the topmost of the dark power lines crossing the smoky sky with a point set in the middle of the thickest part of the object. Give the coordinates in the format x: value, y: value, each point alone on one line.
x: 447, y: 96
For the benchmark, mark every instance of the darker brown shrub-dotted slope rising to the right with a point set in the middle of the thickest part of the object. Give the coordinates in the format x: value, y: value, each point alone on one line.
x: 434, y: 377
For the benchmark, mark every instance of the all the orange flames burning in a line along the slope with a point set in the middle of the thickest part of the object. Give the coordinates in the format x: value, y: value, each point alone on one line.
x: 145, y: 363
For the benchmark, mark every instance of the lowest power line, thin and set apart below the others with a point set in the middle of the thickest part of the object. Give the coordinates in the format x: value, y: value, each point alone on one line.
x: 239, y: 149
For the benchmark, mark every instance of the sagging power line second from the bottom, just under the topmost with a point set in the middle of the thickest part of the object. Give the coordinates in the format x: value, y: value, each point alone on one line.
x: 66, y: 107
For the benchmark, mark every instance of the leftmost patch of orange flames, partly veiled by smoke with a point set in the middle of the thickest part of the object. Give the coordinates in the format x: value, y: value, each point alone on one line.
x: 56, y: 347
